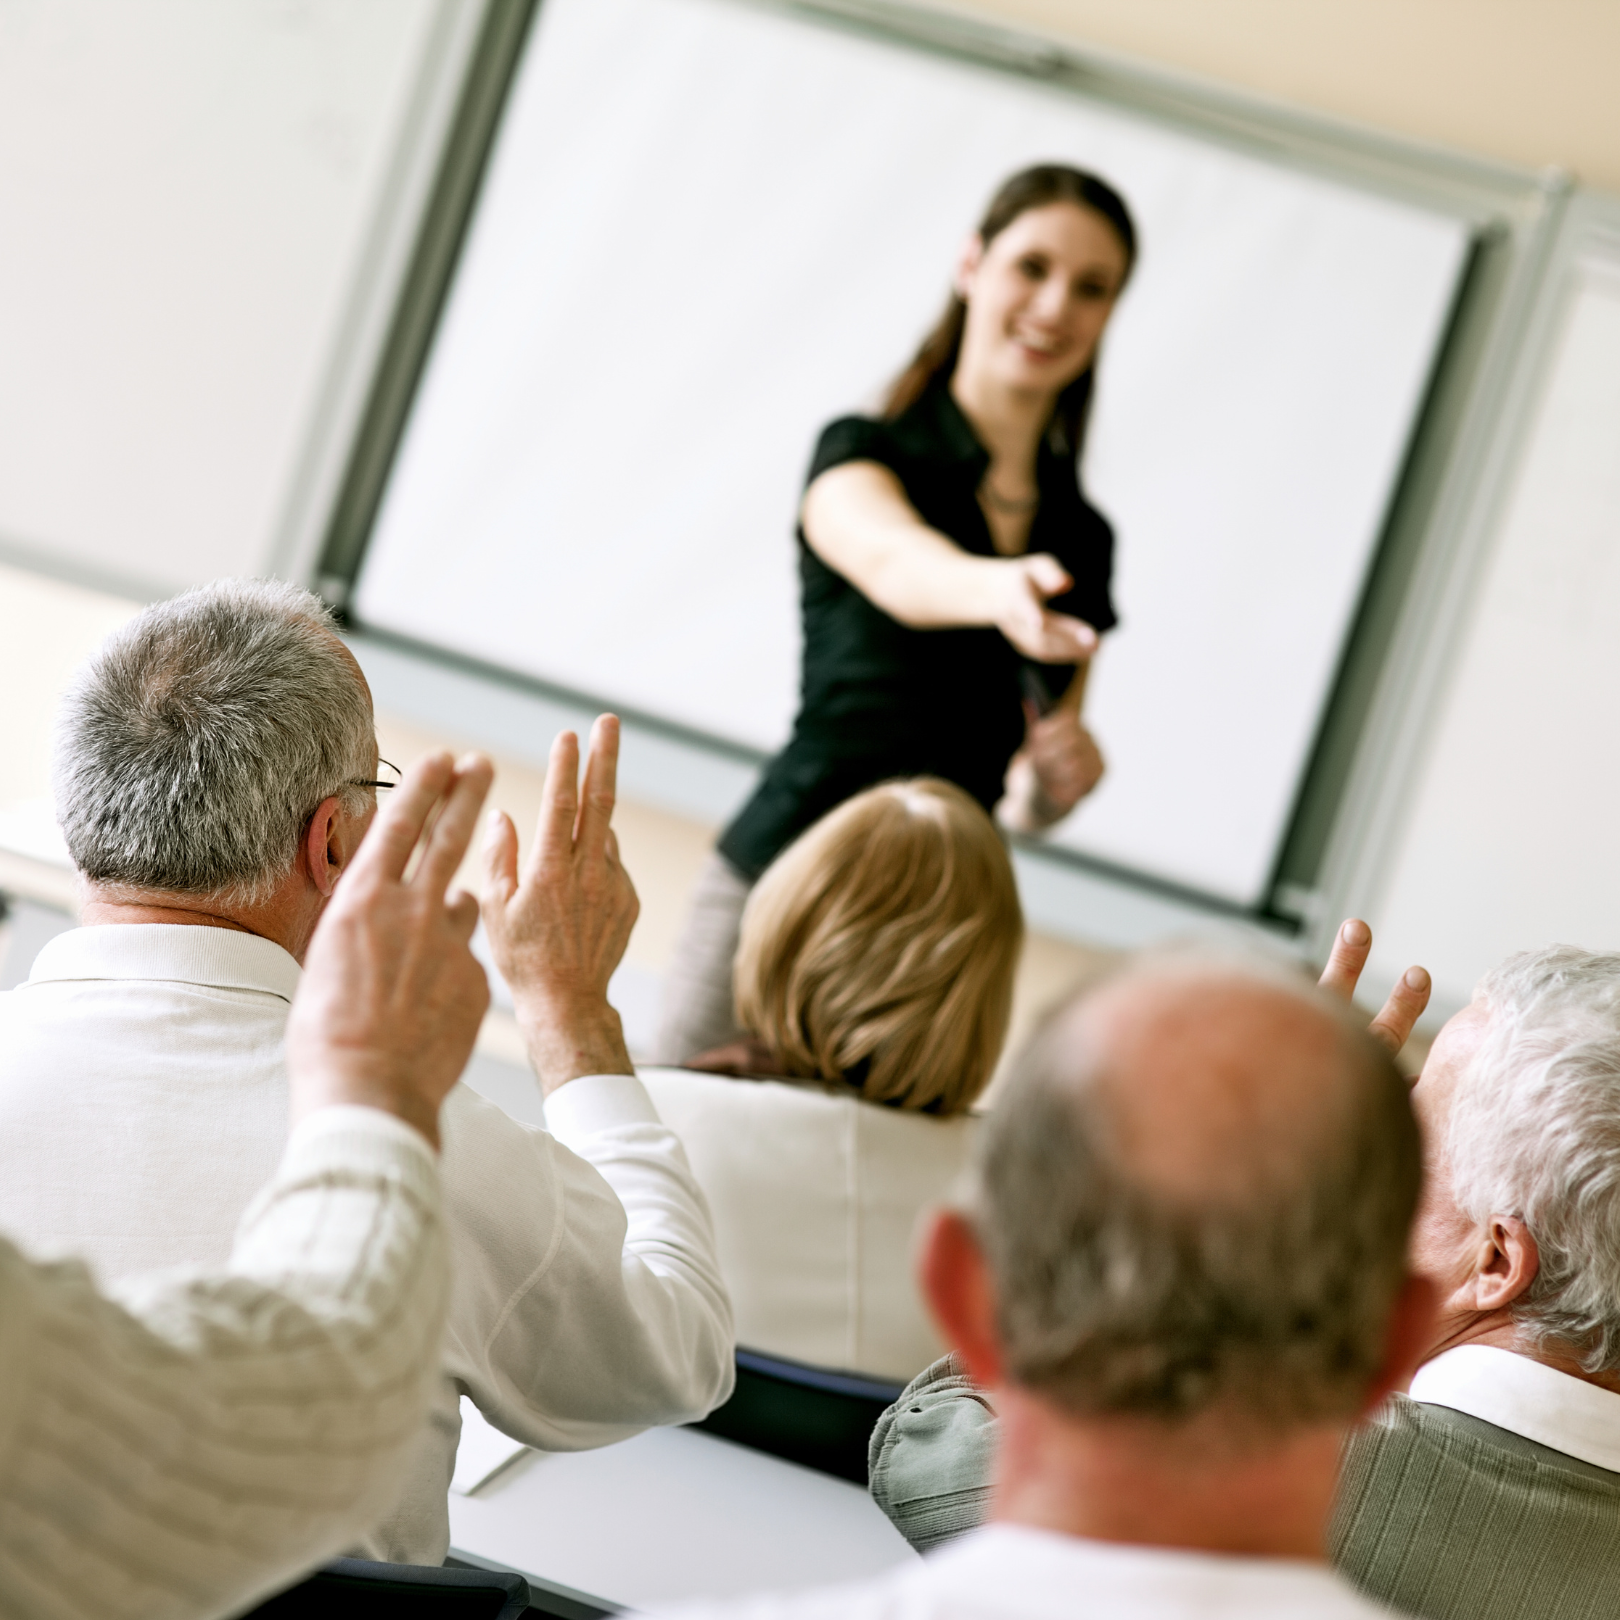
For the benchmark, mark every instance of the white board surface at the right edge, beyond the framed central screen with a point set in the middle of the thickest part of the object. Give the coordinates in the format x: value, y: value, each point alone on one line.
x: 1512, y: 838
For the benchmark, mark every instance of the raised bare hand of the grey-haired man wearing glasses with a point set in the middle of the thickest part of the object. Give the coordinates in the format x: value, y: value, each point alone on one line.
x: 561, y: 927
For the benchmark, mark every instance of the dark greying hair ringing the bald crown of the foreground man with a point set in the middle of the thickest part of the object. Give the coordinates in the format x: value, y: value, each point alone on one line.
x: 1115, y: 1298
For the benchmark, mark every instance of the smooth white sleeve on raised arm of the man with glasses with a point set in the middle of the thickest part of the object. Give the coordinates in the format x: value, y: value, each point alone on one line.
x: 589, y: 1302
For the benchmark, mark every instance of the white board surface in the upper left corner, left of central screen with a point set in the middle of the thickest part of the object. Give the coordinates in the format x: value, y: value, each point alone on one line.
x: 189, y: 190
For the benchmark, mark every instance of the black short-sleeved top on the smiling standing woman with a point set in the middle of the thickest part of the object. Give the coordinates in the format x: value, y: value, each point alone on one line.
x: 882, y: 701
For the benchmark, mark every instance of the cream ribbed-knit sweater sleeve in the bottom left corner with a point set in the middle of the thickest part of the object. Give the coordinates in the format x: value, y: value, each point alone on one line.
x: 200, y: 1441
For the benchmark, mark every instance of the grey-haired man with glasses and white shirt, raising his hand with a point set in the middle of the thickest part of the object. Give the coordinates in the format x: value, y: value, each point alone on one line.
x: 216, y: 772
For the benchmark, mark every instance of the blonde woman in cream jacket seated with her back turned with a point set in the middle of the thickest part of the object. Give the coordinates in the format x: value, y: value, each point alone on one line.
x: 876, y: 983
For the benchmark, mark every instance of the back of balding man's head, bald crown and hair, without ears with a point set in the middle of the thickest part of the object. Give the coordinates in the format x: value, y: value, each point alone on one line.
x: 1198, y: 1192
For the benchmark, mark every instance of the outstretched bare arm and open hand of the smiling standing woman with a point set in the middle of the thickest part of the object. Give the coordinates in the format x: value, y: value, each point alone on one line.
x: 859, y: 522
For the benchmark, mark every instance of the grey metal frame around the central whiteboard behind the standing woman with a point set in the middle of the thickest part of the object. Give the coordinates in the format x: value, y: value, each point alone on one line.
x: 1415, y: 602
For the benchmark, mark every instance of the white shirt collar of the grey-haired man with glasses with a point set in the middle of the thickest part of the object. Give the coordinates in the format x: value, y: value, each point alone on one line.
x: 189, y: 953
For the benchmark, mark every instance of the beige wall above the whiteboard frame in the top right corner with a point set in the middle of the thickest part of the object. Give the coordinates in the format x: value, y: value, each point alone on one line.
x: 1527, y: 82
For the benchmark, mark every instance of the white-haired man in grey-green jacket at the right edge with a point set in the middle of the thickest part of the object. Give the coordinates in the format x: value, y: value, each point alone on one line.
x: 1494, y: 1490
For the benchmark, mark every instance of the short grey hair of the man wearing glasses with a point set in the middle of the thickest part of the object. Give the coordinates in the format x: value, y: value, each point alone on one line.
x: 197, y: 744
